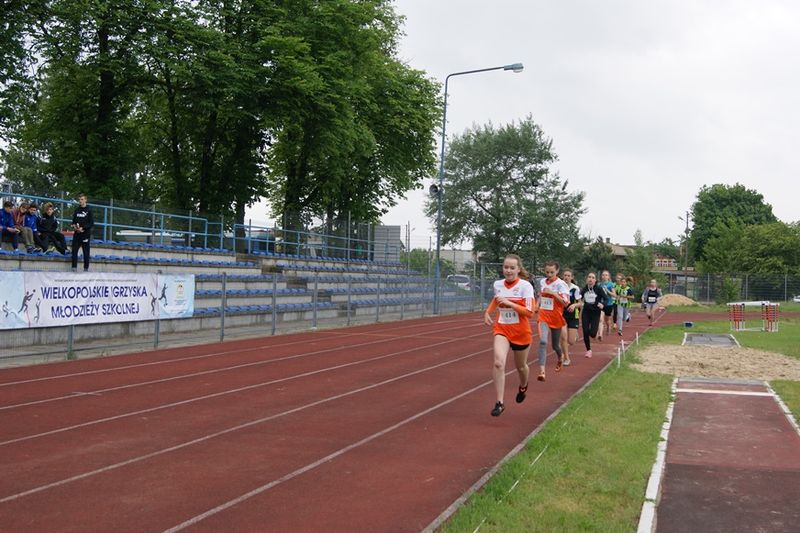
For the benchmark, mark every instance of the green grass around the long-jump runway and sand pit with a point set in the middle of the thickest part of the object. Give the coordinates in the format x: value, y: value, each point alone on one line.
x: 598, y: 452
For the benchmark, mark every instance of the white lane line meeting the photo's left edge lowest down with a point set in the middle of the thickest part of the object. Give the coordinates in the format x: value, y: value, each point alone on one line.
x: 238, y: 427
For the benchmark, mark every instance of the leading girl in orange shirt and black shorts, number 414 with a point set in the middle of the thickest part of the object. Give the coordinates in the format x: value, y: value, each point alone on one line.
x: 513, y: 299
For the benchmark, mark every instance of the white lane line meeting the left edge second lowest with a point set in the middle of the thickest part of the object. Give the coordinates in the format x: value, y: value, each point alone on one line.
x: 226, y: 392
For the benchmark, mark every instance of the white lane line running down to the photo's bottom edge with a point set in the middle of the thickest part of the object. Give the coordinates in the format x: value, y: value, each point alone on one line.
x: 263, y: 488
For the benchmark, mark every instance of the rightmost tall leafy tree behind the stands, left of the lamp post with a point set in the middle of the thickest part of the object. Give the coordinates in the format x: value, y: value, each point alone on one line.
x: 358, y: 132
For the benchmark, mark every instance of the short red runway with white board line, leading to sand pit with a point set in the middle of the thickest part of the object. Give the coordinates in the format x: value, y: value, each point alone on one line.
x: 732, y: 464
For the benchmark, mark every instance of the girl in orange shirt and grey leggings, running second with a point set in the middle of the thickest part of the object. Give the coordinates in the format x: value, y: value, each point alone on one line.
x: 553, y: 298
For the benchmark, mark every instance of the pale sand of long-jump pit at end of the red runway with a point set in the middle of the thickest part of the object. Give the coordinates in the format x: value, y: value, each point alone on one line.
x: 712, y: 362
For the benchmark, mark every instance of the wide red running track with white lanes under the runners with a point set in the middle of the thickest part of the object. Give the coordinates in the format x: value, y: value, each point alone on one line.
x: 370, y: 428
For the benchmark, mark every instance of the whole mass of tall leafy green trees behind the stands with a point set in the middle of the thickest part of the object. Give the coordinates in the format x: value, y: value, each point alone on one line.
x: 210, y: 105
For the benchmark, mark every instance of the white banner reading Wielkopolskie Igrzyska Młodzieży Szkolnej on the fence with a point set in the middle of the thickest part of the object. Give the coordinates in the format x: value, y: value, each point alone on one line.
x: 44, y: 299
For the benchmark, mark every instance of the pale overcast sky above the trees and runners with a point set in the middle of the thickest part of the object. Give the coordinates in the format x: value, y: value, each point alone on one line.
x: 649, y: 99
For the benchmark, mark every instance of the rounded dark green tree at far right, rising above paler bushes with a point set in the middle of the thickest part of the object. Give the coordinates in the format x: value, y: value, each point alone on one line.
x: 726, y: 204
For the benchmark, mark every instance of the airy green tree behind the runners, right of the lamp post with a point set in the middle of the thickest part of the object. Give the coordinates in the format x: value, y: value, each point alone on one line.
x: 499, y: 193
